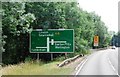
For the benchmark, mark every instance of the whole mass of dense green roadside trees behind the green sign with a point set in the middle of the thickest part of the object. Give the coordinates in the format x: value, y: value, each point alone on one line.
x: 20, y: 18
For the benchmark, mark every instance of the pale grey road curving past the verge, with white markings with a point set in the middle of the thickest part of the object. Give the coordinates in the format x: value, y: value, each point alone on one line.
x: 104, y: 62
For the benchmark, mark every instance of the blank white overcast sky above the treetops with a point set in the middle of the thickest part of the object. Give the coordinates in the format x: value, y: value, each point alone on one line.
x: 107, y: 9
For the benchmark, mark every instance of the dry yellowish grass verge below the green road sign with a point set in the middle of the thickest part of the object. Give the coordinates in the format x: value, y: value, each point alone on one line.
x: 36, y: 69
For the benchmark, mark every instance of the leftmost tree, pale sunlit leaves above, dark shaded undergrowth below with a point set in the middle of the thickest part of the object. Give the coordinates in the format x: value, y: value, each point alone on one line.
x: 16, y: 27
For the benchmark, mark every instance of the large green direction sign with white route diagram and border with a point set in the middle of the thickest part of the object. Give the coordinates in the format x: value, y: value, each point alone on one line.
x: 52, y: 41
